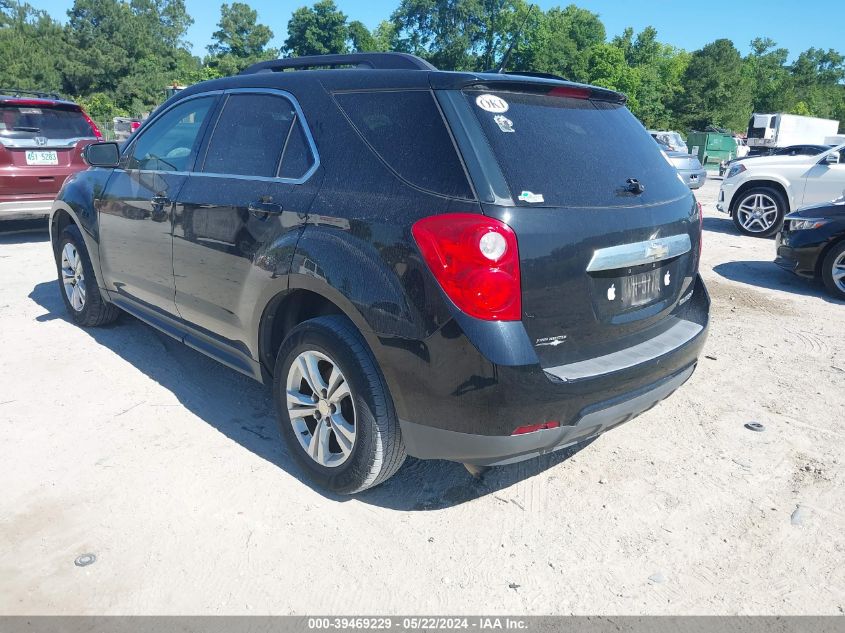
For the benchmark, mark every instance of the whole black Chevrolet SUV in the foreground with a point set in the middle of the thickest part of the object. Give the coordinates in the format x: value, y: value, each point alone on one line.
x: 464, y: 266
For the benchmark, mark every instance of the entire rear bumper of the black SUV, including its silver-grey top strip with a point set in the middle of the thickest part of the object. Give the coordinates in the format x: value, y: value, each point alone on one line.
x: 448, y: 394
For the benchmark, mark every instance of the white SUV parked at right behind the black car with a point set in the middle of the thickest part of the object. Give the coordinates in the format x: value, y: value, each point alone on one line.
x: 759, y: 192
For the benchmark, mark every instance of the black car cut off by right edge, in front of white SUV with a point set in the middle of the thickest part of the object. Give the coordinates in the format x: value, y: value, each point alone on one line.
x: 812, y: 244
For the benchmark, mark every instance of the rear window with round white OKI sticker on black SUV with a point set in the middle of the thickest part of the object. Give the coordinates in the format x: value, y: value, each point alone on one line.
x: 568, y: 152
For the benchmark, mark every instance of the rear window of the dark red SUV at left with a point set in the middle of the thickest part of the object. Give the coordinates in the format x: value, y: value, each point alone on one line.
x: 23, y: 122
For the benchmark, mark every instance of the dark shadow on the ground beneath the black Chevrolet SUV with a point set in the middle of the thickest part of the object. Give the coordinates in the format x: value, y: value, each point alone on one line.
x: 242, y: 410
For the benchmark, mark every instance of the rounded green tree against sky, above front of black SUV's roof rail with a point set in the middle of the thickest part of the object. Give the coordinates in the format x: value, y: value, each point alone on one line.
x: 321, y: 30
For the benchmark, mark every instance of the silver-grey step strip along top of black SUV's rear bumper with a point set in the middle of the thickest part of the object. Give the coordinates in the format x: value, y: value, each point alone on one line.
x: 670, y: 340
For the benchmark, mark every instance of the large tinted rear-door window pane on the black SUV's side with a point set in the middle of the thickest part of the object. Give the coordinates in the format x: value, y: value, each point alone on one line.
x: 249, y: 135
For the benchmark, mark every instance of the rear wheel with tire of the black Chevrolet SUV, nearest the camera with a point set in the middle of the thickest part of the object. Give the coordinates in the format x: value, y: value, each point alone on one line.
x: 333, y: 407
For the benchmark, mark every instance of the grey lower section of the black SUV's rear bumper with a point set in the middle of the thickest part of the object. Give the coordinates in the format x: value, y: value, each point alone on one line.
x: 489, y: 450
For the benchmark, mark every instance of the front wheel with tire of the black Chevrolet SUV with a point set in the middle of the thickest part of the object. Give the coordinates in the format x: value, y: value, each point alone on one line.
x: 77, y: 283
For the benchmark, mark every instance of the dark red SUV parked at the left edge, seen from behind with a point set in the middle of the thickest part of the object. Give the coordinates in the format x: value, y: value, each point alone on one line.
x: 41, y: 141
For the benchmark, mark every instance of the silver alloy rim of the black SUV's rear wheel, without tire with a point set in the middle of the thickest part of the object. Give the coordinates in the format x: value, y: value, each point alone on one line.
x: 321, y: 408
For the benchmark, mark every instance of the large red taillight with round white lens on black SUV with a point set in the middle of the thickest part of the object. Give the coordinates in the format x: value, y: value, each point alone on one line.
x: 475, y: 259
